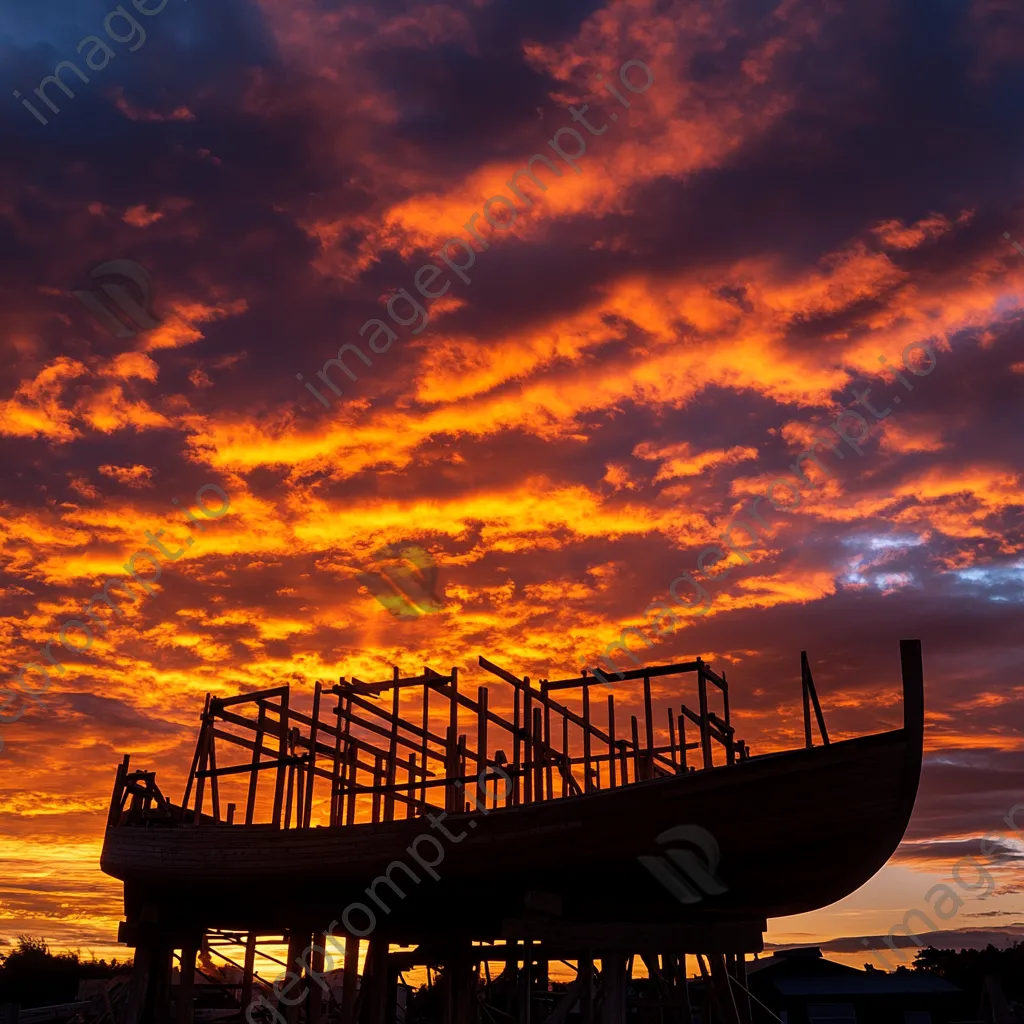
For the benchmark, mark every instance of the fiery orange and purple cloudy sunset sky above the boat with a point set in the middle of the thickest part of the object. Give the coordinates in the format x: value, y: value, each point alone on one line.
x: 806, y: 187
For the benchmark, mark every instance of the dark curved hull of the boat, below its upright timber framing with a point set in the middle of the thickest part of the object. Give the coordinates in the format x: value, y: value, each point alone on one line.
x: 795, y: 832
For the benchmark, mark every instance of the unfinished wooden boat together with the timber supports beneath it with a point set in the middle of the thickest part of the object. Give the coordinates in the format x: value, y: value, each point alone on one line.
x: 554, y: 834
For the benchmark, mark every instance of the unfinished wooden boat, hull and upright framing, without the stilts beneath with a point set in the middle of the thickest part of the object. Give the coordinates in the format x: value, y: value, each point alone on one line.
x: 542, y: 827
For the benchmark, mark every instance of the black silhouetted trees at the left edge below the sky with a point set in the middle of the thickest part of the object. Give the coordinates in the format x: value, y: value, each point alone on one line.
x: 32, y: 976
